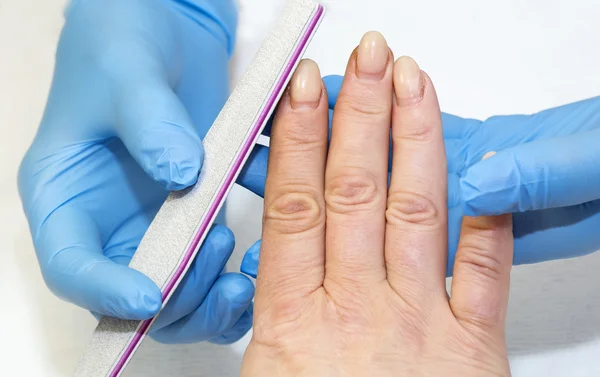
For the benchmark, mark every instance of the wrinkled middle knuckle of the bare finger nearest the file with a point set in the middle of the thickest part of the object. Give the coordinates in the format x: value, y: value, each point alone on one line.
x: 294, y: 211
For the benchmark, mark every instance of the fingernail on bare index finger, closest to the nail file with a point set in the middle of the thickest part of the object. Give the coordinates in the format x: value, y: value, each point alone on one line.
x: 307, y: 86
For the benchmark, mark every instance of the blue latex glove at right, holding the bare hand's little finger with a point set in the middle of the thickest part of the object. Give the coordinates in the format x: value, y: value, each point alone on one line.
x: 546, y: 171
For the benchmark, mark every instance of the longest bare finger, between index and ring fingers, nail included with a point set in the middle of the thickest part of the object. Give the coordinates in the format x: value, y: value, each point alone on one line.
x: 356, y: 175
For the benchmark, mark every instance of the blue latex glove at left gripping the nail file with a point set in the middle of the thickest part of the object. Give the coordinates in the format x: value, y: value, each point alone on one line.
x: 137, y: 84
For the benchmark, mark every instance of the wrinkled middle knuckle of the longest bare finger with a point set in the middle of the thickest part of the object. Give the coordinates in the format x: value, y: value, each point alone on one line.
x: 351, y: 192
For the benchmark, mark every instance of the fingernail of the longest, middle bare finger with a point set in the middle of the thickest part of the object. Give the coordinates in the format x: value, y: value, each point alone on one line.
x: 372, y: 57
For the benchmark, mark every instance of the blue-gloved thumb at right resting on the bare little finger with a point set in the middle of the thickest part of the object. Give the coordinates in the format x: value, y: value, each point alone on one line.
x: 557, y: 172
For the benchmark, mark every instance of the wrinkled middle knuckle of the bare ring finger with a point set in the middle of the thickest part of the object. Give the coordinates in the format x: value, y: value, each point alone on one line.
x: 405, y: 207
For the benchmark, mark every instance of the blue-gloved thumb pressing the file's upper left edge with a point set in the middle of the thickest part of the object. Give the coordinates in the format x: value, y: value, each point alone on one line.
x: 158, y: 133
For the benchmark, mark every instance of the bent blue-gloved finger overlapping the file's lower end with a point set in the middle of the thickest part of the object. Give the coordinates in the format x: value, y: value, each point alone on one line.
x: 74, y: 267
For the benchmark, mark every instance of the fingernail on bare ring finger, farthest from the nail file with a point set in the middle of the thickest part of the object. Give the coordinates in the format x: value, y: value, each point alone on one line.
x: 408, y: 81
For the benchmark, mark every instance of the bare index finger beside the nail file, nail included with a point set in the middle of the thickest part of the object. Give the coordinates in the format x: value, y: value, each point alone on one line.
x: 293, y: 247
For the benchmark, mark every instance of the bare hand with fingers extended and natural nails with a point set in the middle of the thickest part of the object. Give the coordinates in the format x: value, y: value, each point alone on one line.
x: 352, y: 272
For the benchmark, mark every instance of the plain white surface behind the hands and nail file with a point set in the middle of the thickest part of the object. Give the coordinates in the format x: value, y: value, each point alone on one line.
x: 485, y: 58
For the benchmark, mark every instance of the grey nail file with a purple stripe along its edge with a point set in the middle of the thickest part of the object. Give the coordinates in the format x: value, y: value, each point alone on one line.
x: 182, y: 223
